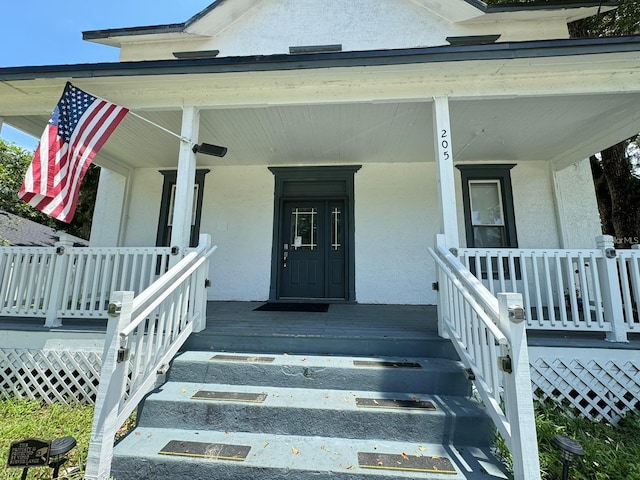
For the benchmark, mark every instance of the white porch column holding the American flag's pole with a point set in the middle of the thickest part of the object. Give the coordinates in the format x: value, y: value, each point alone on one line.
x: 185, y: 179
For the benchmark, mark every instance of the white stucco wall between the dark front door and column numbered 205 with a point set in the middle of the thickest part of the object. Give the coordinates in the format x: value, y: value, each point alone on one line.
x: 396, y: 219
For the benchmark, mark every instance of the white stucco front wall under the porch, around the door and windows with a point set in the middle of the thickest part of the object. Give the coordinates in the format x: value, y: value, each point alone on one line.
x: 396, y: 219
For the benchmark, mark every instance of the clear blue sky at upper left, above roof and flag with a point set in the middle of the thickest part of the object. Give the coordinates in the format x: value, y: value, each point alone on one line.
x: 45, y: 32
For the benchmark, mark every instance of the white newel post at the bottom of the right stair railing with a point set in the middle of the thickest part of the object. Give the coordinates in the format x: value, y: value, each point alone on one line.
x: 518, y: 397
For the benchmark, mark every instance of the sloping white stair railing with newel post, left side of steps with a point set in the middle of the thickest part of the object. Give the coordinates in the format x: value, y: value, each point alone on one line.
x: 144, y: 333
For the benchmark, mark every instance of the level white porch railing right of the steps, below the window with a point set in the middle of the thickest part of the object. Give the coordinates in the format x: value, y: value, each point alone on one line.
x: 594, y: 290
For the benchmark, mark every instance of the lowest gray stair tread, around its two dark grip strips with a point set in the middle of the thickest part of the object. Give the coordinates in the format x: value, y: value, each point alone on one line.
x: 310, y: 454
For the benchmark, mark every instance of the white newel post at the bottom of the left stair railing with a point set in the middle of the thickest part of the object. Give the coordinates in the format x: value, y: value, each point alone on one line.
x: 113, y: 378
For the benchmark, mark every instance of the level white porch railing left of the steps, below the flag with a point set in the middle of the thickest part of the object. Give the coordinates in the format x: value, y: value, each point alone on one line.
x: 63, y: 281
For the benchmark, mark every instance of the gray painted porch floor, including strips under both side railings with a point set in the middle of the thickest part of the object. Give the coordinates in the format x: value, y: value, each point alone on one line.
x: 341, y: 322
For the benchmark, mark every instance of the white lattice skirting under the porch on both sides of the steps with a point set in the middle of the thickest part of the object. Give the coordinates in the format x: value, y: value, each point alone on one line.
x: 602, y: 384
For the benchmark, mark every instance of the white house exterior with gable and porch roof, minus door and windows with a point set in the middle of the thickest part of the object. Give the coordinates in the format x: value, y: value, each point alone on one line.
x: 518, y: 91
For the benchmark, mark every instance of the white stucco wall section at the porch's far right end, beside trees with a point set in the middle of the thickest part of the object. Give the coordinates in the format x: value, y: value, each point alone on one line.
x: 577, y: 206
